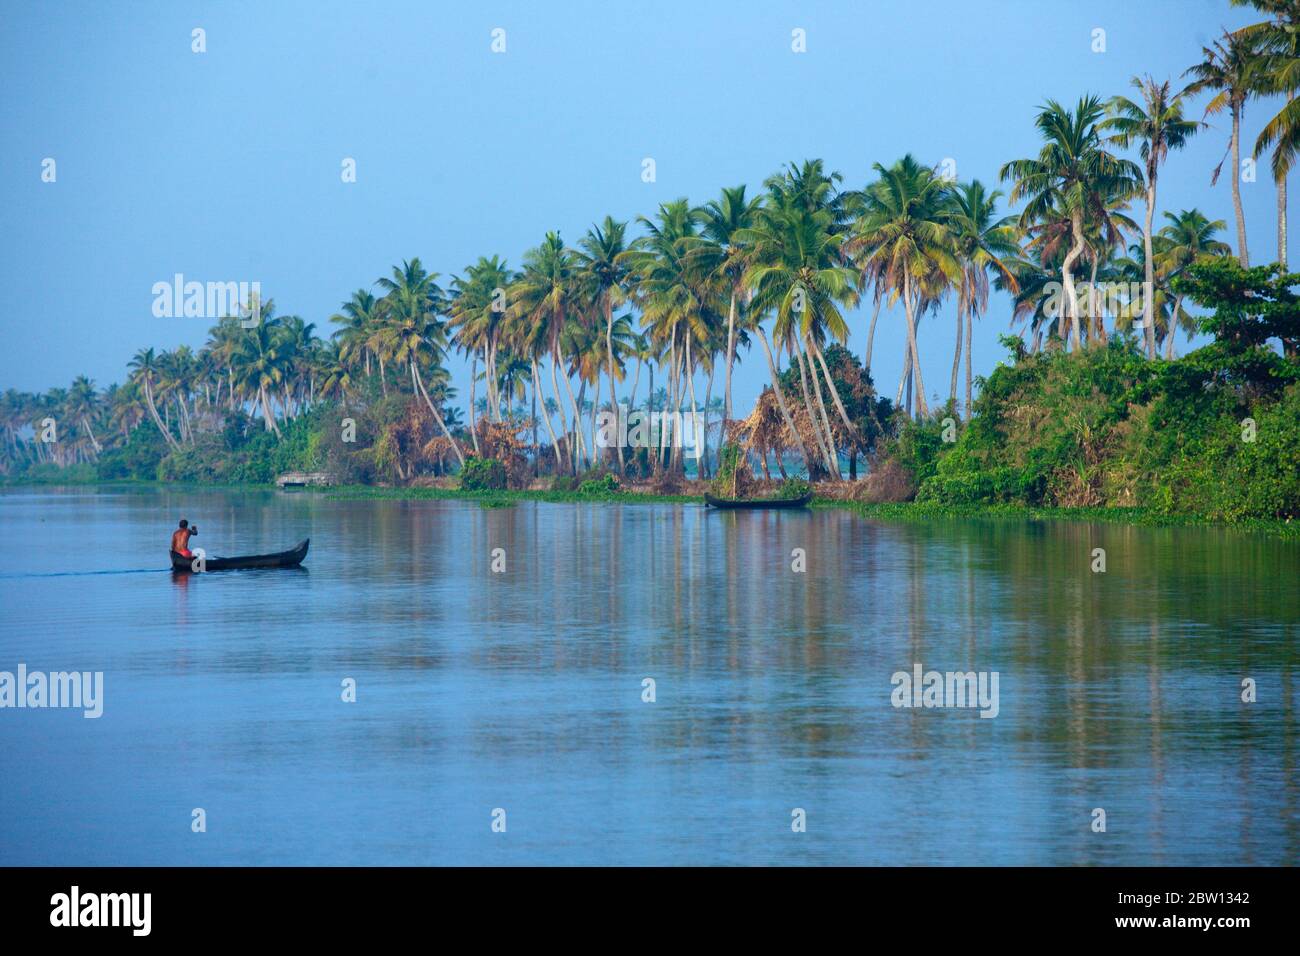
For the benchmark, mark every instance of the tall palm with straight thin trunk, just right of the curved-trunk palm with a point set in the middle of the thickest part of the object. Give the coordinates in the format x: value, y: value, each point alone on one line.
x: 1159, y: 127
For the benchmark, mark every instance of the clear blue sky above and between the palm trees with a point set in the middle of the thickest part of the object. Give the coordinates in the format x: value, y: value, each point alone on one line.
x: 226, y: 166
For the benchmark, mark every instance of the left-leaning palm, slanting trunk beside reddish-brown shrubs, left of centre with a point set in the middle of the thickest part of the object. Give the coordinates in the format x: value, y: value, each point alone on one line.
x: 413, y: 332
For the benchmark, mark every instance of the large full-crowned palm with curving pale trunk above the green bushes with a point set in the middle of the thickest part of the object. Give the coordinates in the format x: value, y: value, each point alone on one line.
x: 1076, y: 172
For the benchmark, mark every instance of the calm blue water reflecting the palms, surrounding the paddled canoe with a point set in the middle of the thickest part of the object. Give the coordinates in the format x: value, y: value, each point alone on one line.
x: 523, y: 690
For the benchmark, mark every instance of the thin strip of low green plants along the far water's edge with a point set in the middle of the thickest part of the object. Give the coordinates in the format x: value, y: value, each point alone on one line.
x: 887, y: 512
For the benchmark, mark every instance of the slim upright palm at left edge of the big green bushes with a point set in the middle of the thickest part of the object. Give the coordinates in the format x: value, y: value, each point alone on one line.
x: 985, y: 245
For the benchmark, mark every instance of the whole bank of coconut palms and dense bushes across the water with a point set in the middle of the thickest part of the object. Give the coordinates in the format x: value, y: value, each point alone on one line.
x: 1094, y: 409
